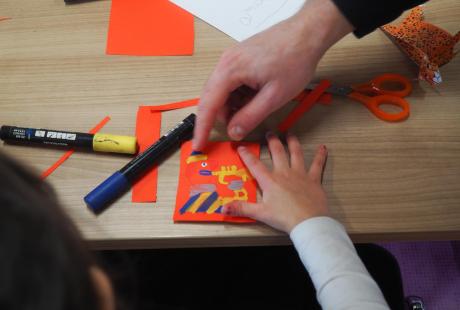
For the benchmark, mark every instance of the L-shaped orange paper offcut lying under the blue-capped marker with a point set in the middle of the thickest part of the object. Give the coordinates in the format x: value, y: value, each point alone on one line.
x: 148, y: 126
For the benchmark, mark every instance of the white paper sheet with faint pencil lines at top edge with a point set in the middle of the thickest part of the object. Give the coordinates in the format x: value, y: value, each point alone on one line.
x: 241, y: 19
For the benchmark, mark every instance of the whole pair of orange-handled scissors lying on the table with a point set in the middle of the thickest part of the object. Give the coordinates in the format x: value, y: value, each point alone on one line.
x: 387, y: 88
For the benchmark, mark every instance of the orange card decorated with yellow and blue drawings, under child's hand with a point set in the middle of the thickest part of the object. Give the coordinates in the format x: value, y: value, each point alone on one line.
x: 212, y: 178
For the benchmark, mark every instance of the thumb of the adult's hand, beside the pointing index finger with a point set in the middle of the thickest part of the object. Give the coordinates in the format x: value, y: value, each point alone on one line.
x: 267, y: 100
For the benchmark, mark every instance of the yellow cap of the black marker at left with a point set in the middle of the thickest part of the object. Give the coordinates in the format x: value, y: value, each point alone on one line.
x: 114, y: 144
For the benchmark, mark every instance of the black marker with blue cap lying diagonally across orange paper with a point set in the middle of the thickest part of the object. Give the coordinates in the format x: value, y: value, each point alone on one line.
x: 116, y: 185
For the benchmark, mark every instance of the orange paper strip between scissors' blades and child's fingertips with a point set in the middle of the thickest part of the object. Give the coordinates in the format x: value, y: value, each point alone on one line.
x: 306, y: 104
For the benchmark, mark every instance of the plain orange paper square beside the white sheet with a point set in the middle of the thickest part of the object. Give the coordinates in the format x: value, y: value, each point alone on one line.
x: 149, y: 28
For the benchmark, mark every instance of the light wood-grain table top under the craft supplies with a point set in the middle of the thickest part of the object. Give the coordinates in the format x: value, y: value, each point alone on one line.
x: 384, y: 181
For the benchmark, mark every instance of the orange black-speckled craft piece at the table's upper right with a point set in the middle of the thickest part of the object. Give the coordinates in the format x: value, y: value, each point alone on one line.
x: 429, y: 46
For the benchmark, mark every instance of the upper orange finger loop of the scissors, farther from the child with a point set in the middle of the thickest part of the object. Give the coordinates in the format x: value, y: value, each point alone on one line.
x: 380, y: 85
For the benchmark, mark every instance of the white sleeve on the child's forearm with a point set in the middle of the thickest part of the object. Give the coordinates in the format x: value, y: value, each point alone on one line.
x: 338, y: 274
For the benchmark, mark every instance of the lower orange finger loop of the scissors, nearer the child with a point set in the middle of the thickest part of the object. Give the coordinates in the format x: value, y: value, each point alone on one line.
x: 374, y: 103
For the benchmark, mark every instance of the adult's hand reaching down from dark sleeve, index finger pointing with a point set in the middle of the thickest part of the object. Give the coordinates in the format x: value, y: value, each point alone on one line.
x: 261, y: 74
